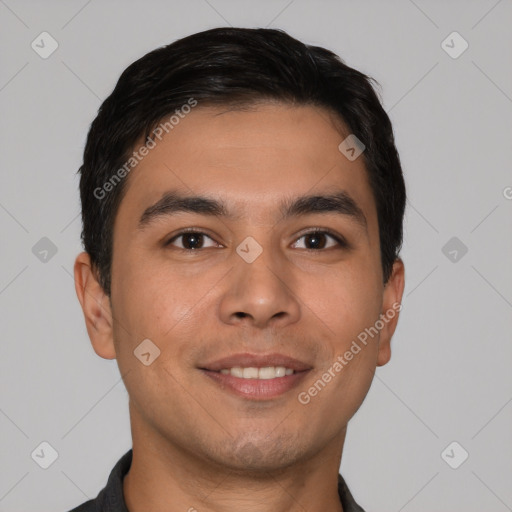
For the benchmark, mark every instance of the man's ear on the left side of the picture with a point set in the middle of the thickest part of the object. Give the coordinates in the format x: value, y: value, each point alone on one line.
x: 96, y: 307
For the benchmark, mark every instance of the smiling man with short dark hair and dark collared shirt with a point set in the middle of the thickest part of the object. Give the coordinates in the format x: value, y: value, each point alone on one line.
x: 242, y: 203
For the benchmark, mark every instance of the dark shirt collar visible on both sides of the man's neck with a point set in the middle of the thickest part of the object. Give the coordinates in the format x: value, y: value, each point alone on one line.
x: 111, y: 499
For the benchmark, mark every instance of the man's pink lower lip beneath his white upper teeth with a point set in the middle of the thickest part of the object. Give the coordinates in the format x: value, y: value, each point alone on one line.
x: 257, y: 389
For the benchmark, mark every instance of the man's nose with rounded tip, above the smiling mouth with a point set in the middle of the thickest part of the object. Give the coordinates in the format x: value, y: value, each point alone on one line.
x: 261, y: 294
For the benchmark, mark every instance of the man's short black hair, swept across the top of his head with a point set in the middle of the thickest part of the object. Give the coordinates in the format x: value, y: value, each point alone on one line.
x: 233, y: 67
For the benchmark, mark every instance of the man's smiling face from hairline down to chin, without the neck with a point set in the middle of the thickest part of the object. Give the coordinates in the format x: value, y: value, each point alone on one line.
x: 201, y: 298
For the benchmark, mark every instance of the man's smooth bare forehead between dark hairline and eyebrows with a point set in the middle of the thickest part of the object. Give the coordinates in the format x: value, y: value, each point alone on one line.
x: 250, y: 158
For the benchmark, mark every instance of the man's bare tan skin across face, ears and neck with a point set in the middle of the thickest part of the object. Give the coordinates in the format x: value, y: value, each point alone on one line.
x: 194, y: 444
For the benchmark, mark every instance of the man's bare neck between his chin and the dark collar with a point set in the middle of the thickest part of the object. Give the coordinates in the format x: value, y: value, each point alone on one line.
x: 166, y: 477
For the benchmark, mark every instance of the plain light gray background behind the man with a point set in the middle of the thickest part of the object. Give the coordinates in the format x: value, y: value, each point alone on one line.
x: 449, y: 378
